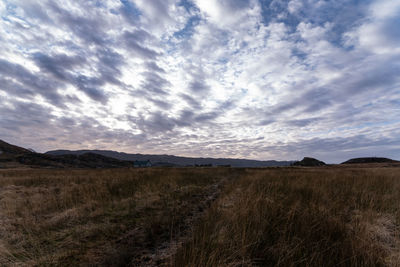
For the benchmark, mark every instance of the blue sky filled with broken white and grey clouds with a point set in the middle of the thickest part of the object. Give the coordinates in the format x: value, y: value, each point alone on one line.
x: 257, y: 79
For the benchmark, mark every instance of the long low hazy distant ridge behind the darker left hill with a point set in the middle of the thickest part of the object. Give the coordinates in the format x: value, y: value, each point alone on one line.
x: 170, y: 160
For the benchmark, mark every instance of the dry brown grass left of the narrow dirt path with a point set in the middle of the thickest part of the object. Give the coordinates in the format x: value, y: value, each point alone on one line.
x: 106, y: 217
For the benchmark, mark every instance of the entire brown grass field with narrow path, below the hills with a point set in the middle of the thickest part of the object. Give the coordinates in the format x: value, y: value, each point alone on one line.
x: 330, y: 216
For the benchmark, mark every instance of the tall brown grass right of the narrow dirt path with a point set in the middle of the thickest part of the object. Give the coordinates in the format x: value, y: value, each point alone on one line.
x: 301, y: 217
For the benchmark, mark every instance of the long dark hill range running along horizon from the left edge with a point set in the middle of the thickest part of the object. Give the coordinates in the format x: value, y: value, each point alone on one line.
x: 12, y: 155
